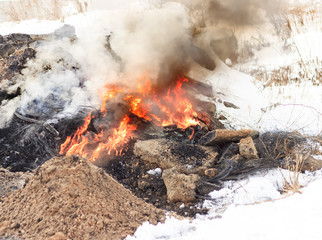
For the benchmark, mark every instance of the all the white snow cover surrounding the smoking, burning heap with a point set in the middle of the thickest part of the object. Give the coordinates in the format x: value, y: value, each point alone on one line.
x: 256, y: 207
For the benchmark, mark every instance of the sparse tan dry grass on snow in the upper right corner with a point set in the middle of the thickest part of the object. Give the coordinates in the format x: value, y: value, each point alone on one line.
x: 299, y: 28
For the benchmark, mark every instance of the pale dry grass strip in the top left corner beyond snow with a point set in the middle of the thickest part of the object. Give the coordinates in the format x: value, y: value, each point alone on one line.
x: 43, y: 9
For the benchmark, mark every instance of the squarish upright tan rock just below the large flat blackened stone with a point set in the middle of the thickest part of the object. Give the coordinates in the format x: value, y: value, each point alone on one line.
x: 180, y: 187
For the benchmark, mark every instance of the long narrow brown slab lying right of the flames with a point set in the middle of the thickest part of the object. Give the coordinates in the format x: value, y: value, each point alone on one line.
x: 220, y: 136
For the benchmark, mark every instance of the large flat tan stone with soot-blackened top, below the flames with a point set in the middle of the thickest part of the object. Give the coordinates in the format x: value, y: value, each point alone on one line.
x: 168, y: 154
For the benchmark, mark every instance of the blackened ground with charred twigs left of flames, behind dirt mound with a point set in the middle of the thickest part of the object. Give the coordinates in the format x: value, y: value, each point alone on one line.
x: 27, y: 144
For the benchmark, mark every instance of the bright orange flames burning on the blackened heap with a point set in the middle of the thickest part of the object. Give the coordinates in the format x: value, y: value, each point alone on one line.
x: 163, y: 108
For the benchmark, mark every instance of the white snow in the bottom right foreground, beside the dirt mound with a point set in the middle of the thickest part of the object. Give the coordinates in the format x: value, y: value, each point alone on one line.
x: 292, y: 217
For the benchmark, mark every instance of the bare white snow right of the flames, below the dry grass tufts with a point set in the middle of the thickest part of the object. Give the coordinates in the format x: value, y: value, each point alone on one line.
x: 293, y: 107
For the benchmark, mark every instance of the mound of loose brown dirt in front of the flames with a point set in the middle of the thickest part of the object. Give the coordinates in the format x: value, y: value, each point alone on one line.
x: 71, y: 198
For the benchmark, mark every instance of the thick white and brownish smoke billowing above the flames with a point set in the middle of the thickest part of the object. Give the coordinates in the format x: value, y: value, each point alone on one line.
x: 154, y: 37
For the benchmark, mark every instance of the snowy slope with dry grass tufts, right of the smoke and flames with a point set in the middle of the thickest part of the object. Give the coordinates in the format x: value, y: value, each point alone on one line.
x: 296, y: 106
